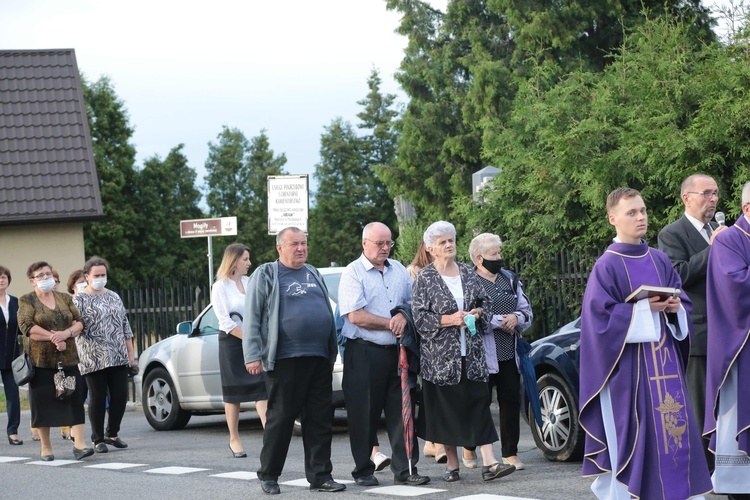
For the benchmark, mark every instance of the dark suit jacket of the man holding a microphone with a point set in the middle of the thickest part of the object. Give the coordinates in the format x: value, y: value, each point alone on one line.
x: 688, y: 252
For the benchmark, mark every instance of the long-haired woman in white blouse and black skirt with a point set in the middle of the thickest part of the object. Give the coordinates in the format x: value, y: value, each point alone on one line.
x: 237, y: 385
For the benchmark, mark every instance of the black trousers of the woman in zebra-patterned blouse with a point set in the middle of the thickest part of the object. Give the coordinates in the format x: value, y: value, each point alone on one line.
x: 114, y: 380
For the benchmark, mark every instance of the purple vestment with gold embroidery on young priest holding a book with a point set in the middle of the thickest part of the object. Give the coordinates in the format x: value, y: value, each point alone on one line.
x: 635, y: 392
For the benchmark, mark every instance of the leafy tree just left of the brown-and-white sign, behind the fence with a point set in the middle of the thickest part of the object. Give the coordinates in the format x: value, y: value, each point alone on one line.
x: 167, y: 194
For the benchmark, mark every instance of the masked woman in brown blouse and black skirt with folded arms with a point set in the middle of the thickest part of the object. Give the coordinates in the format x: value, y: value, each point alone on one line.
x: 52, y: 321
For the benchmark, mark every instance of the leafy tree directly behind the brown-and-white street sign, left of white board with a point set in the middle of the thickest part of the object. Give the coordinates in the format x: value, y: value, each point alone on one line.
x: 237, y: 186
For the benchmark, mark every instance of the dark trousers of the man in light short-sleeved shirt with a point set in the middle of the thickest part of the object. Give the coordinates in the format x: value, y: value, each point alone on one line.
x: 372, y: 385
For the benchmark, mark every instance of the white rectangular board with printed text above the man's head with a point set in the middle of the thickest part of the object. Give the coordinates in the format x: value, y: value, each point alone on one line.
x: 288, y: 202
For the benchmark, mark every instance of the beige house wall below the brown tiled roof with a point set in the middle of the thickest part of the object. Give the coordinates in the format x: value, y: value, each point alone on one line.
x: 60, y: 244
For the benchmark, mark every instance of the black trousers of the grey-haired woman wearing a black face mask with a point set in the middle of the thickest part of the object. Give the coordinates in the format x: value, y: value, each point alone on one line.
x: 507, y: 383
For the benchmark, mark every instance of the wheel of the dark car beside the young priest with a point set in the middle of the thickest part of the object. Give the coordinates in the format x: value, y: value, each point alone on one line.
x: 561, y: 437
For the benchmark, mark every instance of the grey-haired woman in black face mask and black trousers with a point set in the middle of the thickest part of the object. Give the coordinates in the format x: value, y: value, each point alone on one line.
x: 511, y: 315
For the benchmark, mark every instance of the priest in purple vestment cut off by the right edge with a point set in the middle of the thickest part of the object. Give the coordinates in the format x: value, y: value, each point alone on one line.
x: 727, y: 401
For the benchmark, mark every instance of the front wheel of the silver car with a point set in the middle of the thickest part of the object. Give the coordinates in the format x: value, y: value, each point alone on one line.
x: 160, y: 402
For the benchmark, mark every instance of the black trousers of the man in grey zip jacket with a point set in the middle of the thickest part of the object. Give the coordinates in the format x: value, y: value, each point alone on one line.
x: 298, y: 387
